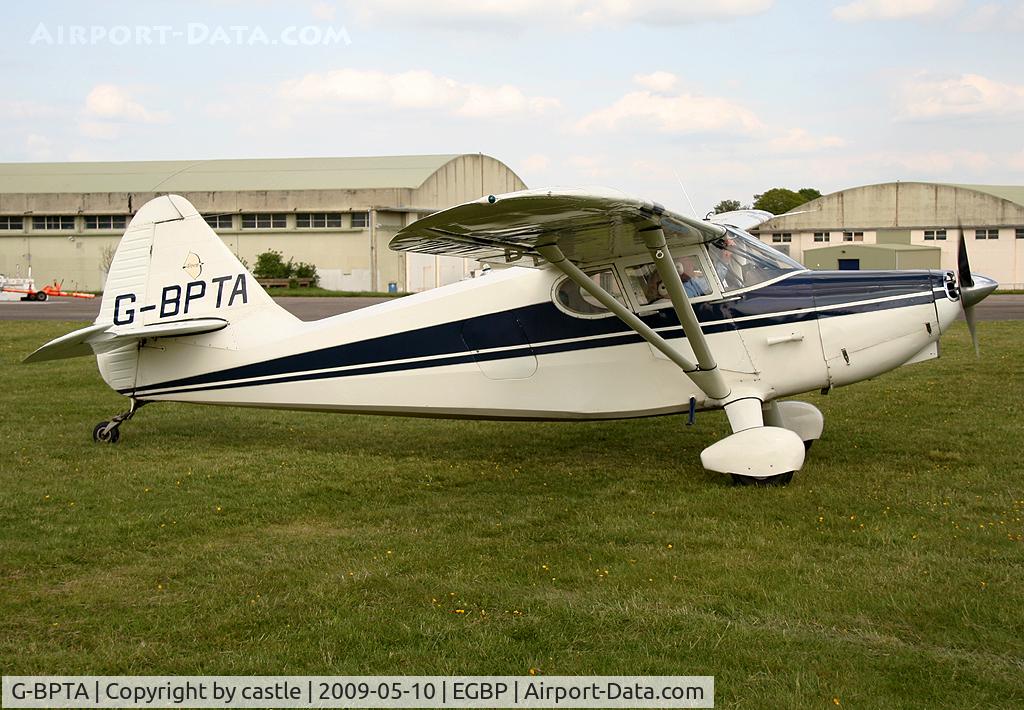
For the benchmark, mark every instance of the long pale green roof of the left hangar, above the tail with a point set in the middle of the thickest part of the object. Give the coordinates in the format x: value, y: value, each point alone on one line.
x: 243, y: 175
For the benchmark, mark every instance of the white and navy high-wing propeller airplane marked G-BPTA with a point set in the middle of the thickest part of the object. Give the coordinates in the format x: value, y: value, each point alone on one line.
x: 599, y: 307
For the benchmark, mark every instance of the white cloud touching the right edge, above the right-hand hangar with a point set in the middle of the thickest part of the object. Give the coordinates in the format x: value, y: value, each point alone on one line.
x: 970, y: 95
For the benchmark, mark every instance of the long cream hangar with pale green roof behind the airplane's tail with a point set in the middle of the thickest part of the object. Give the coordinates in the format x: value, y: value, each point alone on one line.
x: 64, y: 220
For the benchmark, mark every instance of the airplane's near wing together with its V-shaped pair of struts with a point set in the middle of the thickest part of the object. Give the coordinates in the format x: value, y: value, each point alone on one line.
x: 571, y: 229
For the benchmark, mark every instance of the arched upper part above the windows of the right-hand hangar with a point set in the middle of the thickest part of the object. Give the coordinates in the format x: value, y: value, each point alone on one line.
x: 908, y: 205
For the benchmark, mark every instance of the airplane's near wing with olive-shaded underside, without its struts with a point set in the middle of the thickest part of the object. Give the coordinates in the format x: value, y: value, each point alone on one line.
x: 587, y: 226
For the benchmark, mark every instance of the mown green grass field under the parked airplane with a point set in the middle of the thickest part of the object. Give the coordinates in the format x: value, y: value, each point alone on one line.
x: 219, y: 541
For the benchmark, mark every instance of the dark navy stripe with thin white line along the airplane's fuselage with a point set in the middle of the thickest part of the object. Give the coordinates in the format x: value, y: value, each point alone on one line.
x: 543, y: 329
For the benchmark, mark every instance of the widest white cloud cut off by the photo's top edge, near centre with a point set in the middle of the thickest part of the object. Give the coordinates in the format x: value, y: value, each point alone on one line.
x: 499, y: 14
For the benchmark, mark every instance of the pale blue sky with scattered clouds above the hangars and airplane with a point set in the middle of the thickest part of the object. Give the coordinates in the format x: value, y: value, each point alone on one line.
x: 684, y: 102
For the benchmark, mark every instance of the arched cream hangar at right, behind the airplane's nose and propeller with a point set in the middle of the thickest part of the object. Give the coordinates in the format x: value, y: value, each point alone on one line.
x: 908, y: 226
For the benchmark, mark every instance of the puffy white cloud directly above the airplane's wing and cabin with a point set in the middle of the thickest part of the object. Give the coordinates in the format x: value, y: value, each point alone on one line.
x: 682, y: 114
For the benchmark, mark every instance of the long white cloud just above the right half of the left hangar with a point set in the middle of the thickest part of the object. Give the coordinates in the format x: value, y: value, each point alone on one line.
x: 415, y: 90
